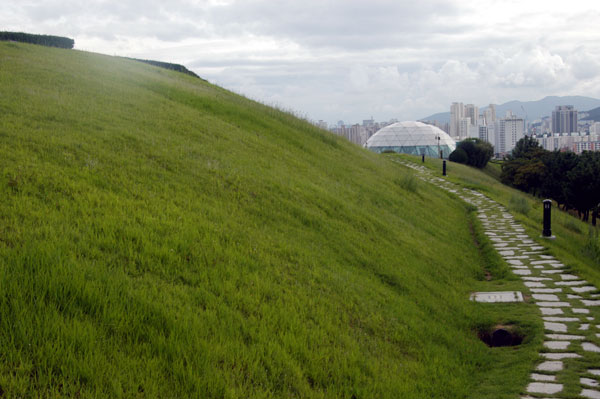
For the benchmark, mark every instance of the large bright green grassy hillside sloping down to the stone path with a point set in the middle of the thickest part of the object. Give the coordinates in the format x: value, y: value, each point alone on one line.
x: 163, y: 237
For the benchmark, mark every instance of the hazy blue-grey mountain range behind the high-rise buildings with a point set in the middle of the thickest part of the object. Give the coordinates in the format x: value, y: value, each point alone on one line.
x: 531, y: 110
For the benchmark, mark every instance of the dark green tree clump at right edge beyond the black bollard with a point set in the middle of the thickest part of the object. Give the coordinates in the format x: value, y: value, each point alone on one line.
x: 572, y: 180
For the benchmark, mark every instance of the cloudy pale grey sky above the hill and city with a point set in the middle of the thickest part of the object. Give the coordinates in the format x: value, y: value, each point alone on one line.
x: 346, y: 59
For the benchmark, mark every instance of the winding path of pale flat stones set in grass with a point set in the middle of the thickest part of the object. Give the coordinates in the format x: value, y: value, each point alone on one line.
x: 566, y: 302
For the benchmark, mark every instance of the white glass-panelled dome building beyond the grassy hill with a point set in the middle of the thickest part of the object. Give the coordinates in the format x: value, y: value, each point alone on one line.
x: 413, y: 138
